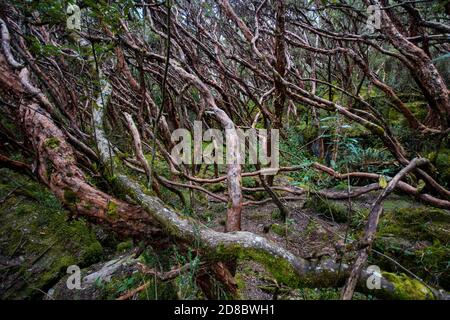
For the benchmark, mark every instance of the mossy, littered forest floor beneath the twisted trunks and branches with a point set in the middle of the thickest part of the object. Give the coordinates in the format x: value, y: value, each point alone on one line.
x: 38, y: 242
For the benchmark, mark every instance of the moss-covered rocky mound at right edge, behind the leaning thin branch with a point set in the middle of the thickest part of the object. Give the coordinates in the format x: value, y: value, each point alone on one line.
x: 419, y: 239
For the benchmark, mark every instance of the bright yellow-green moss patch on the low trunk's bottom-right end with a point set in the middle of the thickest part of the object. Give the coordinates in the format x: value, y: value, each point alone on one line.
x: 407, y: 288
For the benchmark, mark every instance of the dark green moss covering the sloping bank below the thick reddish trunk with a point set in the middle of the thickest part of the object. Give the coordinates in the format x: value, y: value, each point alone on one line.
x: 34, y: 226
